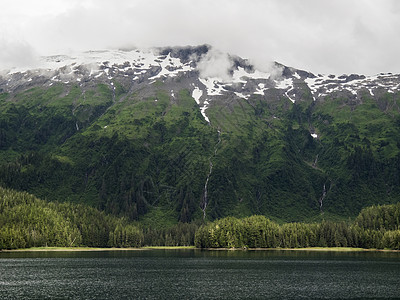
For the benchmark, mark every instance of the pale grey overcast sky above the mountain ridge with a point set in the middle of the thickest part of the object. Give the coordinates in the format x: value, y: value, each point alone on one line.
x: 336, y: 36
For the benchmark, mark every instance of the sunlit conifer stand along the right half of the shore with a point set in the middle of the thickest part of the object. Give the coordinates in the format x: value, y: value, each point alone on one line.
x: 260, y: 232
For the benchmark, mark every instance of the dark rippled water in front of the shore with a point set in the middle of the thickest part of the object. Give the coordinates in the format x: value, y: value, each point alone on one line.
x: 194, y: 274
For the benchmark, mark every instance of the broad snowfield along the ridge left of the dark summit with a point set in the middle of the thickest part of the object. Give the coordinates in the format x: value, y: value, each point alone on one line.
x: 109, y: 64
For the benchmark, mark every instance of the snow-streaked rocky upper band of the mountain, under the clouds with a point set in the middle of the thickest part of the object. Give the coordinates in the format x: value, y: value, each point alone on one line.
x: 209, y: 74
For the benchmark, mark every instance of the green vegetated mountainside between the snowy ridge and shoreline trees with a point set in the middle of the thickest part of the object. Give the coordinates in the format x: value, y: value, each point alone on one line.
x: 146, y: 155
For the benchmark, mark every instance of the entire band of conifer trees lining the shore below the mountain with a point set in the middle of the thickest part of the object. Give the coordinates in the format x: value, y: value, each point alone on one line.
x: 26, y: 221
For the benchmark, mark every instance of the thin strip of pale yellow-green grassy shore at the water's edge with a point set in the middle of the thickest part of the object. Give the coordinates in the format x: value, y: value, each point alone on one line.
x: 146, y: 248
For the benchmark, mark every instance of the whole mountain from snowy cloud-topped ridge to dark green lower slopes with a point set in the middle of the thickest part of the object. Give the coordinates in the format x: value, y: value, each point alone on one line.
x: 189, y: 133
